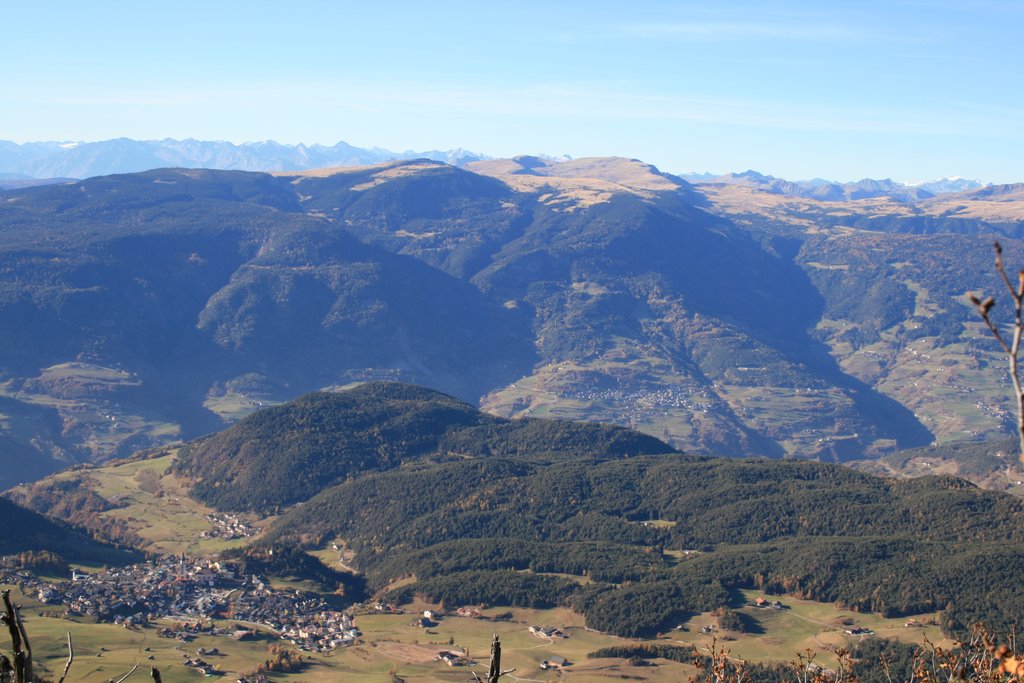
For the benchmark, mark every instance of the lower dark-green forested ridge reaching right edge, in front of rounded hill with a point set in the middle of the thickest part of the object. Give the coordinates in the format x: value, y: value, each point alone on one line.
x: 634, y: 544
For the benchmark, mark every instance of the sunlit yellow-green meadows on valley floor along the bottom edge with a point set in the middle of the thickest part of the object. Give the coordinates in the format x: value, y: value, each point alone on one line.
x: 395, y: 644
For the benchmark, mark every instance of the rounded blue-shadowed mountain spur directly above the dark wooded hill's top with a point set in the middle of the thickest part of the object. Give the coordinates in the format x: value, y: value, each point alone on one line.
x: 317, y: 304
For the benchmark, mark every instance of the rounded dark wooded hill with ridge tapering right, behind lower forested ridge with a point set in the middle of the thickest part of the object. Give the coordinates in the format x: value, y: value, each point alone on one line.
x: 288, y: 454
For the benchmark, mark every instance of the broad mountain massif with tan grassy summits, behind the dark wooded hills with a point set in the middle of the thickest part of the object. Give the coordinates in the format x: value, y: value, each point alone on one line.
x: 138, y: 310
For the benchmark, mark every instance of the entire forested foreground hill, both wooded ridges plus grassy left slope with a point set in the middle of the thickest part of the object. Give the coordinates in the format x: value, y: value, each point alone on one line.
x: 466, y: 508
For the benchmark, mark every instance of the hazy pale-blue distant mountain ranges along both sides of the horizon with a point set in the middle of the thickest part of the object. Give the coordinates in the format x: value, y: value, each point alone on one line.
x: 23, y: 164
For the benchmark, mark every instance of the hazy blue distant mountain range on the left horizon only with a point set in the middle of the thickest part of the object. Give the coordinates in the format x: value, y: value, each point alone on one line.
x: 86, y: 160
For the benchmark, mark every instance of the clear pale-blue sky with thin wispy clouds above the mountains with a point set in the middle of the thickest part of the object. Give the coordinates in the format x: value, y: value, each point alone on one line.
x: 844, y: 90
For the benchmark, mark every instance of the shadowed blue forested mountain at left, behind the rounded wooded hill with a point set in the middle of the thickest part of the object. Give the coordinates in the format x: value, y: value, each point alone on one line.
x: 155, y: 296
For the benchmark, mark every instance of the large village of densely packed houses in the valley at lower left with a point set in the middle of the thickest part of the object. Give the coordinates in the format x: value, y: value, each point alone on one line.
x: 192, y: 590
